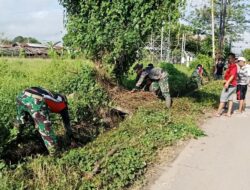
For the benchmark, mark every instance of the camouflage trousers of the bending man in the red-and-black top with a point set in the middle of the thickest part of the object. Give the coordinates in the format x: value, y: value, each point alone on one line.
x: 37, y: 109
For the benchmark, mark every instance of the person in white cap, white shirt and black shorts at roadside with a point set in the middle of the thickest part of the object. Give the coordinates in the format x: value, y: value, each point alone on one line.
x: 243, y: 81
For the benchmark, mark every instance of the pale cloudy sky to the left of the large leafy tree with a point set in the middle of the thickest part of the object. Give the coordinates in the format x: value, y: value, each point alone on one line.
x: 42, y: 19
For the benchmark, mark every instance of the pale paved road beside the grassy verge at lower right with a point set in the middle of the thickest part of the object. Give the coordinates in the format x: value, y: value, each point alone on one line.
x: 219, y: 161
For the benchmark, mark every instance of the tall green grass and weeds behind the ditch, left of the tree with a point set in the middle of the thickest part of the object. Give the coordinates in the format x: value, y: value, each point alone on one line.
x: 64, y: 76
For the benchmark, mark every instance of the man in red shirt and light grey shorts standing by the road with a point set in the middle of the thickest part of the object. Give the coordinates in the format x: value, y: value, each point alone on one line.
x: 230, y: 84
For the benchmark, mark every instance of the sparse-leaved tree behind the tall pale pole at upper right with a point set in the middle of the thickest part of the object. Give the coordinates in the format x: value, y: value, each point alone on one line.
x: 230, y: 21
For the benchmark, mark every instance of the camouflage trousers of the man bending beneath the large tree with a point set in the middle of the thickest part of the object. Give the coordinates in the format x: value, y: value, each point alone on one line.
x: 161, y: 85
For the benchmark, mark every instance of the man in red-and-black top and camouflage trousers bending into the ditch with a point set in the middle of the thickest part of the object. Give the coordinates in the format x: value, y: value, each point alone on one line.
x: 37, y: 103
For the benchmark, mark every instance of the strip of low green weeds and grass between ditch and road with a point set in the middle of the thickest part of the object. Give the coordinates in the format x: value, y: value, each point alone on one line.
x: 136, y: 141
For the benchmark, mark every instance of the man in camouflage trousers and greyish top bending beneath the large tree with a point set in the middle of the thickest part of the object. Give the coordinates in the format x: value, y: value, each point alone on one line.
x: 159, y: 80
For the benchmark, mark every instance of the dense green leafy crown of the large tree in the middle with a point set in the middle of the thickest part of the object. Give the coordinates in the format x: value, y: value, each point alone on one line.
x: 114, y: 31
